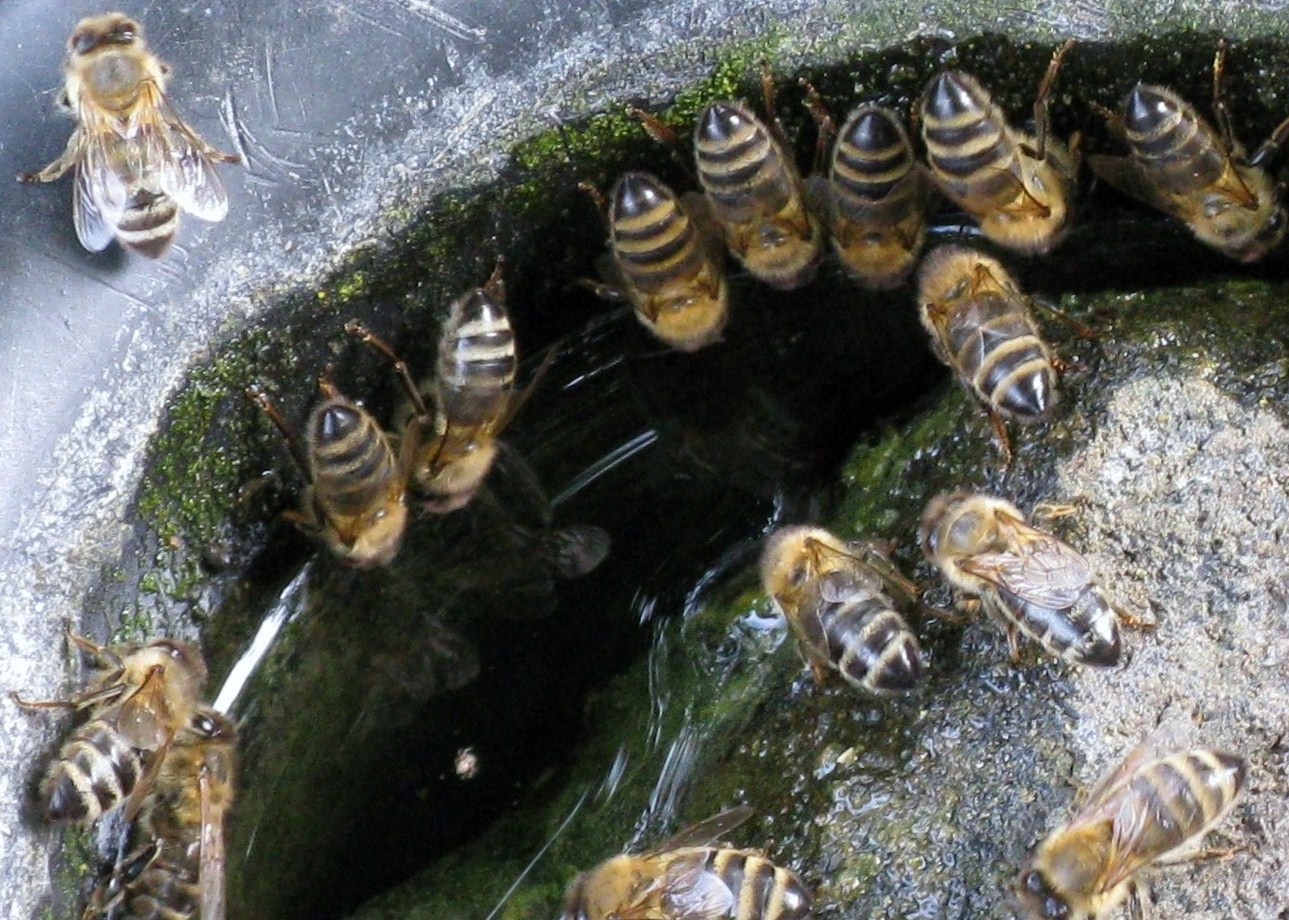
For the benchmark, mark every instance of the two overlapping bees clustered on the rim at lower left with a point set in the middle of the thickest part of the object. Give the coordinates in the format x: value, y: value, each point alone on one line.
x: 153, y: 752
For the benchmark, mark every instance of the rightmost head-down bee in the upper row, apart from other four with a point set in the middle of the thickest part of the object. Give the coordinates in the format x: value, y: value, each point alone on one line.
x: 1180, y: 166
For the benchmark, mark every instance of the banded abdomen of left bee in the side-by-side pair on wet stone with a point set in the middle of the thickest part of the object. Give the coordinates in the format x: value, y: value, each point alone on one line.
x: 872, y: 646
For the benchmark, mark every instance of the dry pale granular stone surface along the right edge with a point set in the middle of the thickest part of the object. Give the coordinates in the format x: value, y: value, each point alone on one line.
x: 1185, y: 522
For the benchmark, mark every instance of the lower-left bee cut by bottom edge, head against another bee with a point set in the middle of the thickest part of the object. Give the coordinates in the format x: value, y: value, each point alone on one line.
x: 179, y: 872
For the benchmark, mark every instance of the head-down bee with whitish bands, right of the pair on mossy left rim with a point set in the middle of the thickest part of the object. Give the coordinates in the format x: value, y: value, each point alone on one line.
x: 453, y: 448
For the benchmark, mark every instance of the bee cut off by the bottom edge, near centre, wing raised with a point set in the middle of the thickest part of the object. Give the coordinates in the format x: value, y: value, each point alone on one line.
x: 689, y: 878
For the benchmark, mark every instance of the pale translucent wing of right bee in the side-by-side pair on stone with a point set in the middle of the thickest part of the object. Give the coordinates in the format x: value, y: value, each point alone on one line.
x: 1040, y: 570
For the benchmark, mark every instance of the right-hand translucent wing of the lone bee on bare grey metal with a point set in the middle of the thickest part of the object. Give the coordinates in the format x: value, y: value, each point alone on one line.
x: 182, y: 162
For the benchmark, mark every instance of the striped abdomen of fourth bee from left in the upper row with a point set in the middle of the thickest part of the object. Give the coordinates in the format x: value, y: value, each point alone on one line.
x: 967, y: 140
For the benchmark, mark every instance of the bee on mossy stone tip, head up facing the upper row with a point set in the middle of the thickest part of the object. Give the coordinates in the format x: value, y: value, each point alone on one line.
x: 980, y: 325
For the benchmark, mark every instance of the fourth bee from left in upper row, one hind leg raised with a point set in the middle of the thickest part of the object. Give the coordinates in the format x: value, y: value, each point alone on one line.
x: 1016, y: 186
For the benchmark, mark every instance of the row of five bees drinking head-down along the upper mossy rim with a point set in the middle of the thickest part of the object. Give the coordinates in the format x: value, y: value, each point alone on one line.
x: 667, y: 252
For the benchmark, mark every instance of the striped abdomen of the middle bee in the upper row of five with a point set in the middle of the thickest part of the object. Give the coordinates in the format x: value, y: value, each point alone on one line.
x: 873, y: 157
